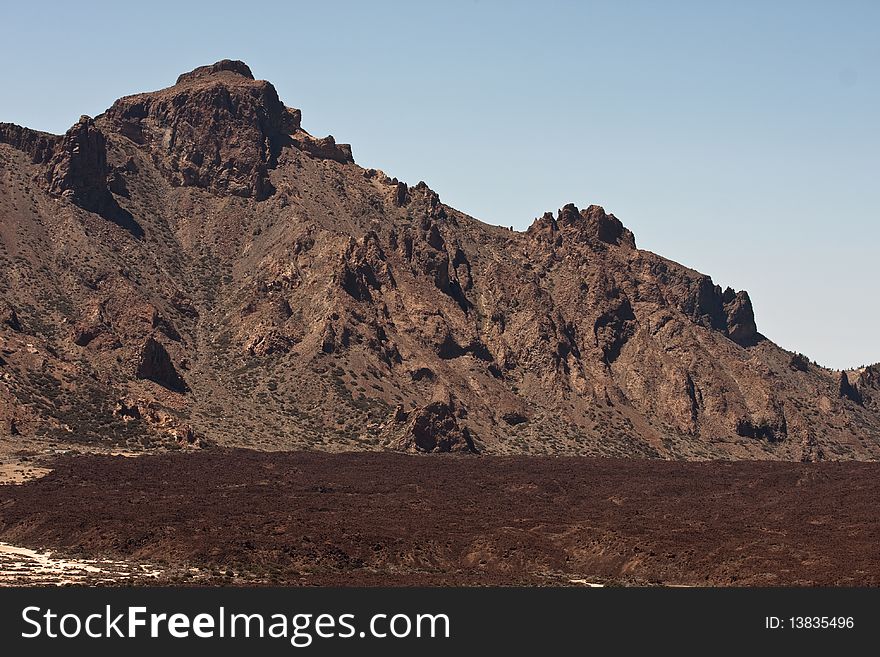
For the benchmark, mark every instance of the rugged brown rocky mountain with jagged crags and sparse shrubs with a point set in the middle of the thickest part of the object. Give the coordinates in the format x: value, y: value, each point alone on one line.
x: 192, y: 268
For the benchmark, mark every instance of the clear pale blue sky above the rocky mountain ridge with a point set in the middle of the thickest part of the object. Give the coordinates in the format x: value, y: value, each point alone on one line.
x: 739, y: 138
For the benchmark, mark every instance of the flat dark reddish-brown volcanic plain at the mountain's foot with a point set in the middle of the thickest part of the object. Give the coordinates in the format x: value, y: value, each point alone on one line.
x: 313, y: 518
